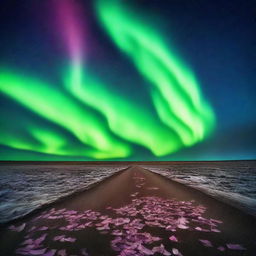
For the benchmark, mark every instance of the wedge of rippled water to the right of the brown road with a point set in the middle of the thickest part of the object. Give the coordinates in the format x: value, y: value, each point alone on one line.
x: 231, y: 182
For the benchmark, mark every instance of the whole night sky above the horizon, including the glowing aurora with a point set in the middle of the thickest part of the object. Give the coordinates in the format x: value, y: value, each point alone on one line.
x: 127, y: 80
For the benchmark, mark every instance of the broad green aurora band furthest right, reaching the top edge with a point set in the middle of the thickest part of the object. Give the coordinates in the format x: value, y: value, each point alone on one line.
x: 175, y: 92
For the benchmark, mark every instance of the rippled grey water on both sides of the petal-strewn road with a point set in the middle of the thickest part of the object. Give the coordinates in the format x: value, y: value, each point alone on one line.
x: 23, y: 188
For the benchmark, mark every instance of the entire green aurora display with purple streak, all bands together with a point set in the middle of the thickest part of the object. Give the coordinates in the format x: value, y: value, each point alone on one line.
x: 184, y: 117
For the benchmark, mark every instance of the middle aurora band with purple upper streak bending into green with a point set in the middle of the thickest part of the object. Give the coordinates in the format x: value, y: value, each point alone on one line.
x: 125, y: 119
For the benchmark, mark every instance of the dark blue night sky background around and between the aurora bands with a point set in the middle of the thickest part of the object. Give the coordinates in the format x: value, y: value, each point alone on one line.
x: 216, y: 39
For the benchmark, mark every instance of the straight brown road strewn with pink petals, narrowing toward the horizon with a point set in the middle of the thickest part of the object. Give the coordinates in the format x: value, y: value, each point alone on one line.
x: 135, y: 212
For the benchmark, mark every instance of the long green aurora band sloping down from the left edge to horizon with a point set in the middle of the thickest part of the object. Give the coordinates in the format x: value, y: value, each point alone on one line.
x: 61, y: 109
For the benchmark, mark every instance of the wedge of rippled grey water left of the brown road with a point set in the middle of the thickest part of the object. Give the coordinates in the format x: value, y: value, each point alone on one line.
x: 25, y: 188
